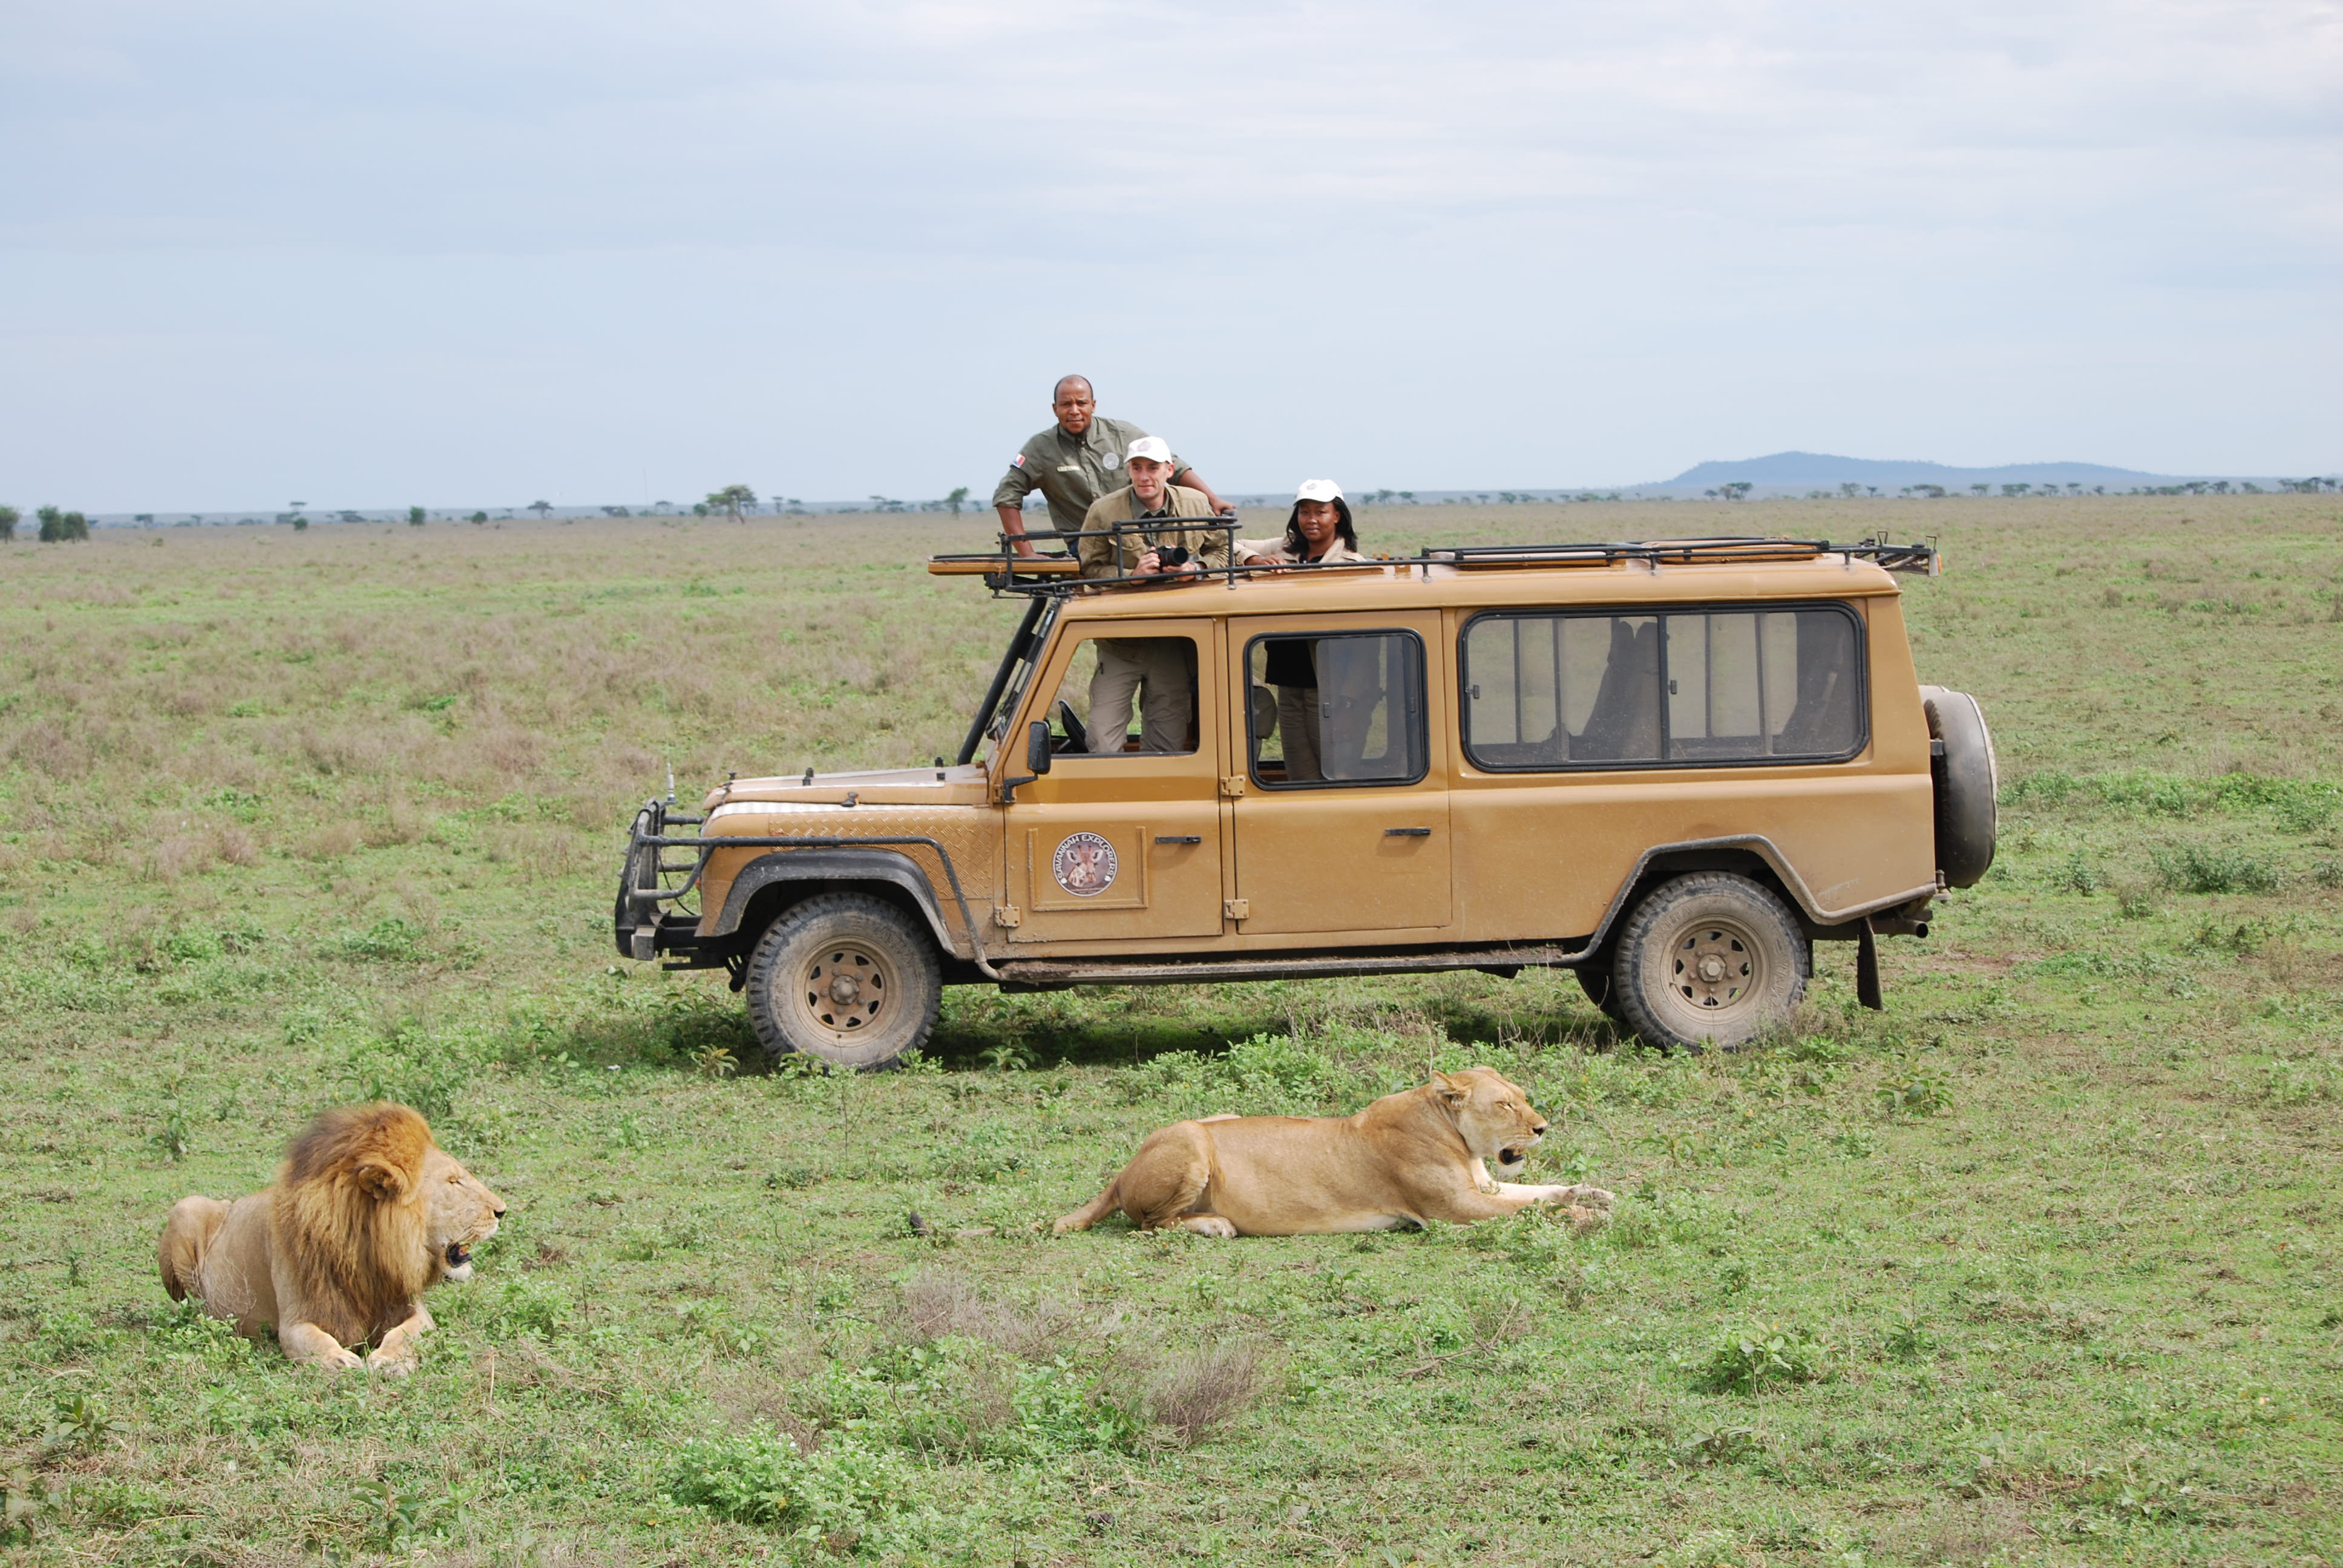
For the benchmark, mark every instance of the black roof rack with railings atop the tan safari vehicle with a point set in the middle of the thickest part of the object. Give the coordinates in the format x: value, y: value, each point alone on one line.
x: 1009, y: 571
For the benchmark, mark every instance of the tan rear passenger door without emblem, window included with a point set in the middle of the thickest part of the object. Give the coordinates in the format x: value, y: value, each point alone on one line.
x: 1341, y: 822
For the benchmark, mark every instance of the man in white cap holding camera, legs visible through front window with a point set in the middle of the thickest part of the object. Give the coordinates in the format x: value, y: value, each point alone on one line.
x: 1161, y: 671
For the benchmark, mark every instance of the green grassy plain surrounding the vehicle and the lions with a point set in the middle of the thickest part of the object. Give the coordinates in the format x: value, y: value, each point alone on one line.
x: 2042, y: 1267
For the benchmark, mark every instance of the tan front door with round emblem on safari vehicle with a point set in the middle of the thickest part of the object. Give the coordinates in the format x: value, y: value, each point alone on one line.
x: 1119, y: 843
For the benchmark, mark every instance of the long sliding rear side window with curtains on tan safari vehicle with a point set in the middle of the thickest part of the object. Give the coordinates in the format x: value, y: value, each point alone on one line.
x: 1662, y: 690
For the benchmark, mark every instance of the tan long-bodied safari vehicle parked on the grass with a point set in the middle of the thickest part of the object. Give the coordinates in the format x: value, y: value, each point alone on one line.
x: 1667, y: 768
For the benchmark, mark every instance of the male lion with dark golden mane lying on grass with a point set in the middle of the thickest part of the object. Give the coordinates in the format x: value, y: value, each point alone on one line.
x: 364, y: 1215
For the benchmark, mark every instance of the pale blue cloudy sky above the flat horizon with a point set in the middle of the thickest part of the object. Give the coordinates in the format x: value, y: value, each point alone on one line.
x: 608, y: 254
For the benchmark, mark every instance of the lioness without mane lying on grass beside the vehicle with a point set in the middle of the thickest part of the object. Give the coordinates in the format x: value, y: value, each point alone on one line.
x: 1412, y: 1157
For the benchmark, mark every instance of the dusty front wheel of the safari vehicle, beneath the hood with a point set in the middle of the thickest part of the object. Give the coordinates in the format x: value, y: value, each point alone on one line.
x: 847, y: 979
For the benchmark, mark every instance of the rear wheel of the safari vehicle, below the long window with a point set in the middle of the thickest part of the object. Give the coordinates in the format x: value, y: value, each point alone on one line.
x: 1709, y: 960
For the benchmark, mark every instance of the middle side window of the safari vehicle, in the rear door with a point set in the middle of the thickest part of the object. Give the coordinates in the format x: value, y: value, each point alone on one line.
x: 1337, y: 709
